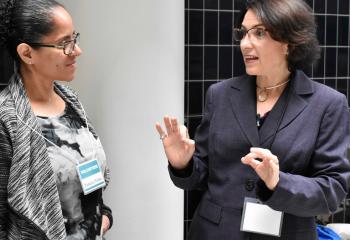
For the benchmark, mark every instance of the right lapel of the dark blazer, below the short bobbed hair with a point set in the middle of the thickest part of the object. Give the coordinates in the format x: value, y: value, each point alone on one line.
x: 300, y: 85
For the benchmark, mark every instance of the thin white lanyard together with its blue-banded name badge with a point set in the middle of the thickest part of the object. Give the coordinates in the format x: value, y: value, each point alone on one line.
x: 89, y: 172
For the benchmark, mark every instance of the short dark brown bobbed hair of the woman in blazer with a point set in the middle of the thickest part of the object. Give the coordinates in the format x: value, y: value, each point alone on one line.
x: 291, y: 22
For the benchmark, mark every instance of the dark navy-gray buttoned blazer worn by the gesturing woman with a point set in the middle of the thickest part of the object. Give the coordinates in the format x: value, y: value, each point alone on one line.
x: 310, y: 144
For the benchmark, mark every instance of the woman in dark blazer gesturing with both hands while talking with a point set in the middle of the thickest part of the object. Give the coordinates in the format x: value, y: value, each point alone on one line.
x: 269, y: 153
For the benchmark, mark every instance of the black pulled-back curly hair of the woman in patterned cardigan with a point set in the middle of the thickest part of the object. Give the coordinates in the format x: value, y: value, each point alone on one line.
x: 23, y: 21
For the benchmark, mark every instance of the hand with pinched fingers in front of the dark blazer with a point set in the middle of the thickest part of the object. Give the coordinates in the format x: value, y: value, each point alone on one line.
x: 267, y: 168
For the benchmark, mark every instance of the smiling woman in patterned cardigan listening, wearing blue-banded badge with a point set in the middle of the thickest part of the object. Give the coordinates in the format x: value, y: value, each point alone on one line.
x: 52, y: 164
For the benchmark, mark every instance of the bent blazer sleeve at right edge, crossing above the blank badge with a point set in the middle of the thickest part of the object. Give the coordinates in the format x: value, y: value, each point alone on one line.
x: 327, y: 180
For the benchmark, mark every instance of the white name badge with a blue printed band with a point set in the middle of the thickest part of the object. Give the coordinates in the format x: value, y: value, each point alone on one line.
x: 90, y: 175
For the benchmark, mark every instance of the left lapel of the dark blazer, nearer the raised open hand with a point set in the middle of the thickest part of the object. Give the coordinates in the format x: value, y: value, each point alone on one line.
x: 243, y: 102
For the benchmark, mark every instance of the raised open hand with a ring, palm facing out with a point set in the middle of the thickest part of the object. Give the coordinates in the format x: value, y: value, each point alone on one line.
x: 178, y: 147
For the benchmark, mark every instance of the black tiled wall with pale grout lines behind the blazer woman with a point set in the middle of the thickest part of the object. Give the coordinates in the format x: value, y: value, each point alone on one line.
x: 210, y: 56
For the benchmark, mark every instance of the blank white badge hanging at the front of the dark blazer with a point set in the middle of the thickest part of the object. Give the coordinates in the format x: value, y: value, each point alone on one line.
x: 260, y: 218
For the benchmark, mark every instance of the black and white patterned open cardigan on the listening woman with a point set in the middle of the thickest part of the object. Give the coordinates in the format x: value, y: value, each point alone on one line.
x: 29, y: 201
